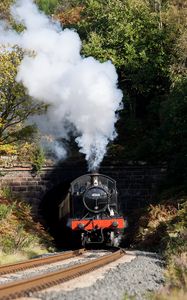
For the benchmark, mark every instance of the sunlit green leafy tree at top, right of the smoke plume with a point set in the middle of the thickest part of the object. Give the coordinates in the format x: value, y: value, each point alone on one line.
x: 127, y: 33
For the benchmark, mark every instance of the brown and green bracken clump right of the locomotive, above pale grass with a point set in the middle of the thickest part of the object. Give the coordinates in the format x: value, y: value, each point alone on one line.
x: 163, y: 226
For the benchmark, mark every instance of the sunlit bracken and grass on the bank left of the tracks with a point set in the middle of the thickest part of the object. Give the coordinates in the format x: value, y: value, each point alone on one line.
x: 20, y: 237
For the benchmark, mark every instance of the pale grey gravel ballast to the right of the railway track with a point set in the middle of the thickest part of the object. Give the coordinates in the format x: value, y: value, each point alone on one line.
x: 142, y: 275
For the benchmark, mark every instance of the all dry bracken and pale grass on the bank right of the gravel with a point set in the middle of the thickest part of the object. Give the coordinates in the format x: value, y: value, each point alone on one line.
x: 163, y: 227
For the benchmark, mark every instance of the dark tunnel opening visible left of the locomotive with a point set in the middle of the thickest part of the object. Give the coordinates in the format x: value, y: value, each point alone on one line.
x: 49, y: 211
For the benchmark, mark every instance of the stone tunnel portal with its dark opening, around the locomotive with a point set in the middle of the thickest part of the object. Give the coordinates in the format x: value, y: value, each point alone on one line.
x: 136, y: 184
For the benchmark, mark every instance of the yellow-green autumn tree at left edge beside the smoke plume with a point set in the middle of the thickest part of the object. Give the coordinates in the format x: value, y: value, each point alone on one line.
x: 15, y: 105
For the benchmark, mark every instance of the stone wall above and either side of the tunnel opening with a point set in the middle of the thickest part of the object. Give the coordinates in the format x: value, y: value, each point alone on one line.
x: 136, y: 185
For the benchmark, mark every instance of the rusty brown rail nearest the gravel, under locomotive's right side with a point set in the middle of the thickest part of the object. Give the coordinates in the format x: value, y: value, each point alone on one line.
x: 24, y: 287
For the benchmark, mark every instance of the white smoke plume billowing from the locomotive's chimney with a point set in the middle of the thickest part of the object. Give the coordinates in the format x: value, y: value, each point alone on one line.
x: 81, y: 91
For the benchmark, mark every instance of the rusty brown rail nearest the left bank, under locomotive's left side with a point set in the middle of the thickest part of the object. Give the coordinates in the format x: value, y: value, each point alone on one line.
x: 36, y: 262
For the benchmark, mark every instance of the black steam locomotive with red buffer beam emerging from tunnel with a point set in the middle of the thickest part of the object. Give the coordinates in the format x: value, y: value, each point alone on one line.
x: 89, y: 212
